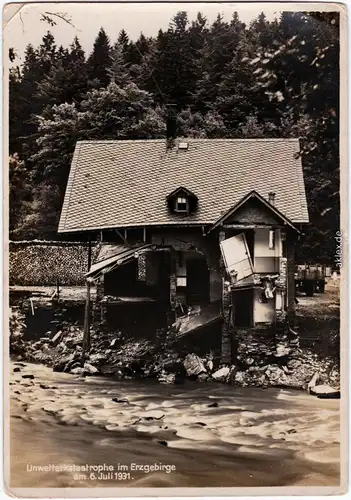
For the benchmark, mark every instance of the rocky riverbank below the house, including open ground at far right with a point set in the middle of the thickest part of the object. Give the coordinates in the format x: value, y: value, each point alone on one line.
x: 260, y: 361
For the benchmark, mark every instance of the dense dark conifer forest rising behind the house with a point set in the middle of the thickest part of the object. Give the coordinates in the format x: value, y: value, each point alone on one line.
x: 223, y: 79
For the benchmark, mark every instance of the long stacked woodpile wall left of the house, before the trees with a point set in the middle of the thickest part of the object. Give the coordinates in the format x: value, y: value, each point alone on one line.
x: 41, y: 263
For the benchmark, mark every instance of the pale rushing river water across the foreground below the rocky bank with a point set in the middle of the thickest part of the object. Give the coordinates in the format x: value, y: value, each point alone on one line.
x: 208, y: 434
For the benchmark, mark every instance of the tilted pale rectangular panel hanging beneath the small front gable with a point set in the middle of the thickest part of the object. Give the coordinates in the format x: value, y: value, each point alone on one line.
x: 236, y: 257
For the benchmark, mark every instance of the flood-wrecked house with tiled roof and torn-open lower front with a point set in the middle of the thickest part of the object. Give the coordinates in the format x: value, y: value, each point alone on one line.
x: 189, y: 228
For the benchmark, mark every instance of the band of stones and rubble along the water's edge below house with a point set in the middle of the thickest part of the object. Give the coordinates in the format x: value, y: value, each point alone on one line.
x: 261, y: 360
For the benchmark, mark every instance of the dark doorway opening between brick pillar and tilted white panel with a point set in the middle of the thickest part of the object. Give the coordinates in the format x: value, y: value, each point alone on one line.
x: 198, y: 281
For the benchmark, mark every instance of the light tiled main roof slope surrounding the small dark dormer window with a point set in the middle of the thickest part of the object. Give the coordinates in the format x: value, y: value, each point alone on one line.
x: 125, y: 183
